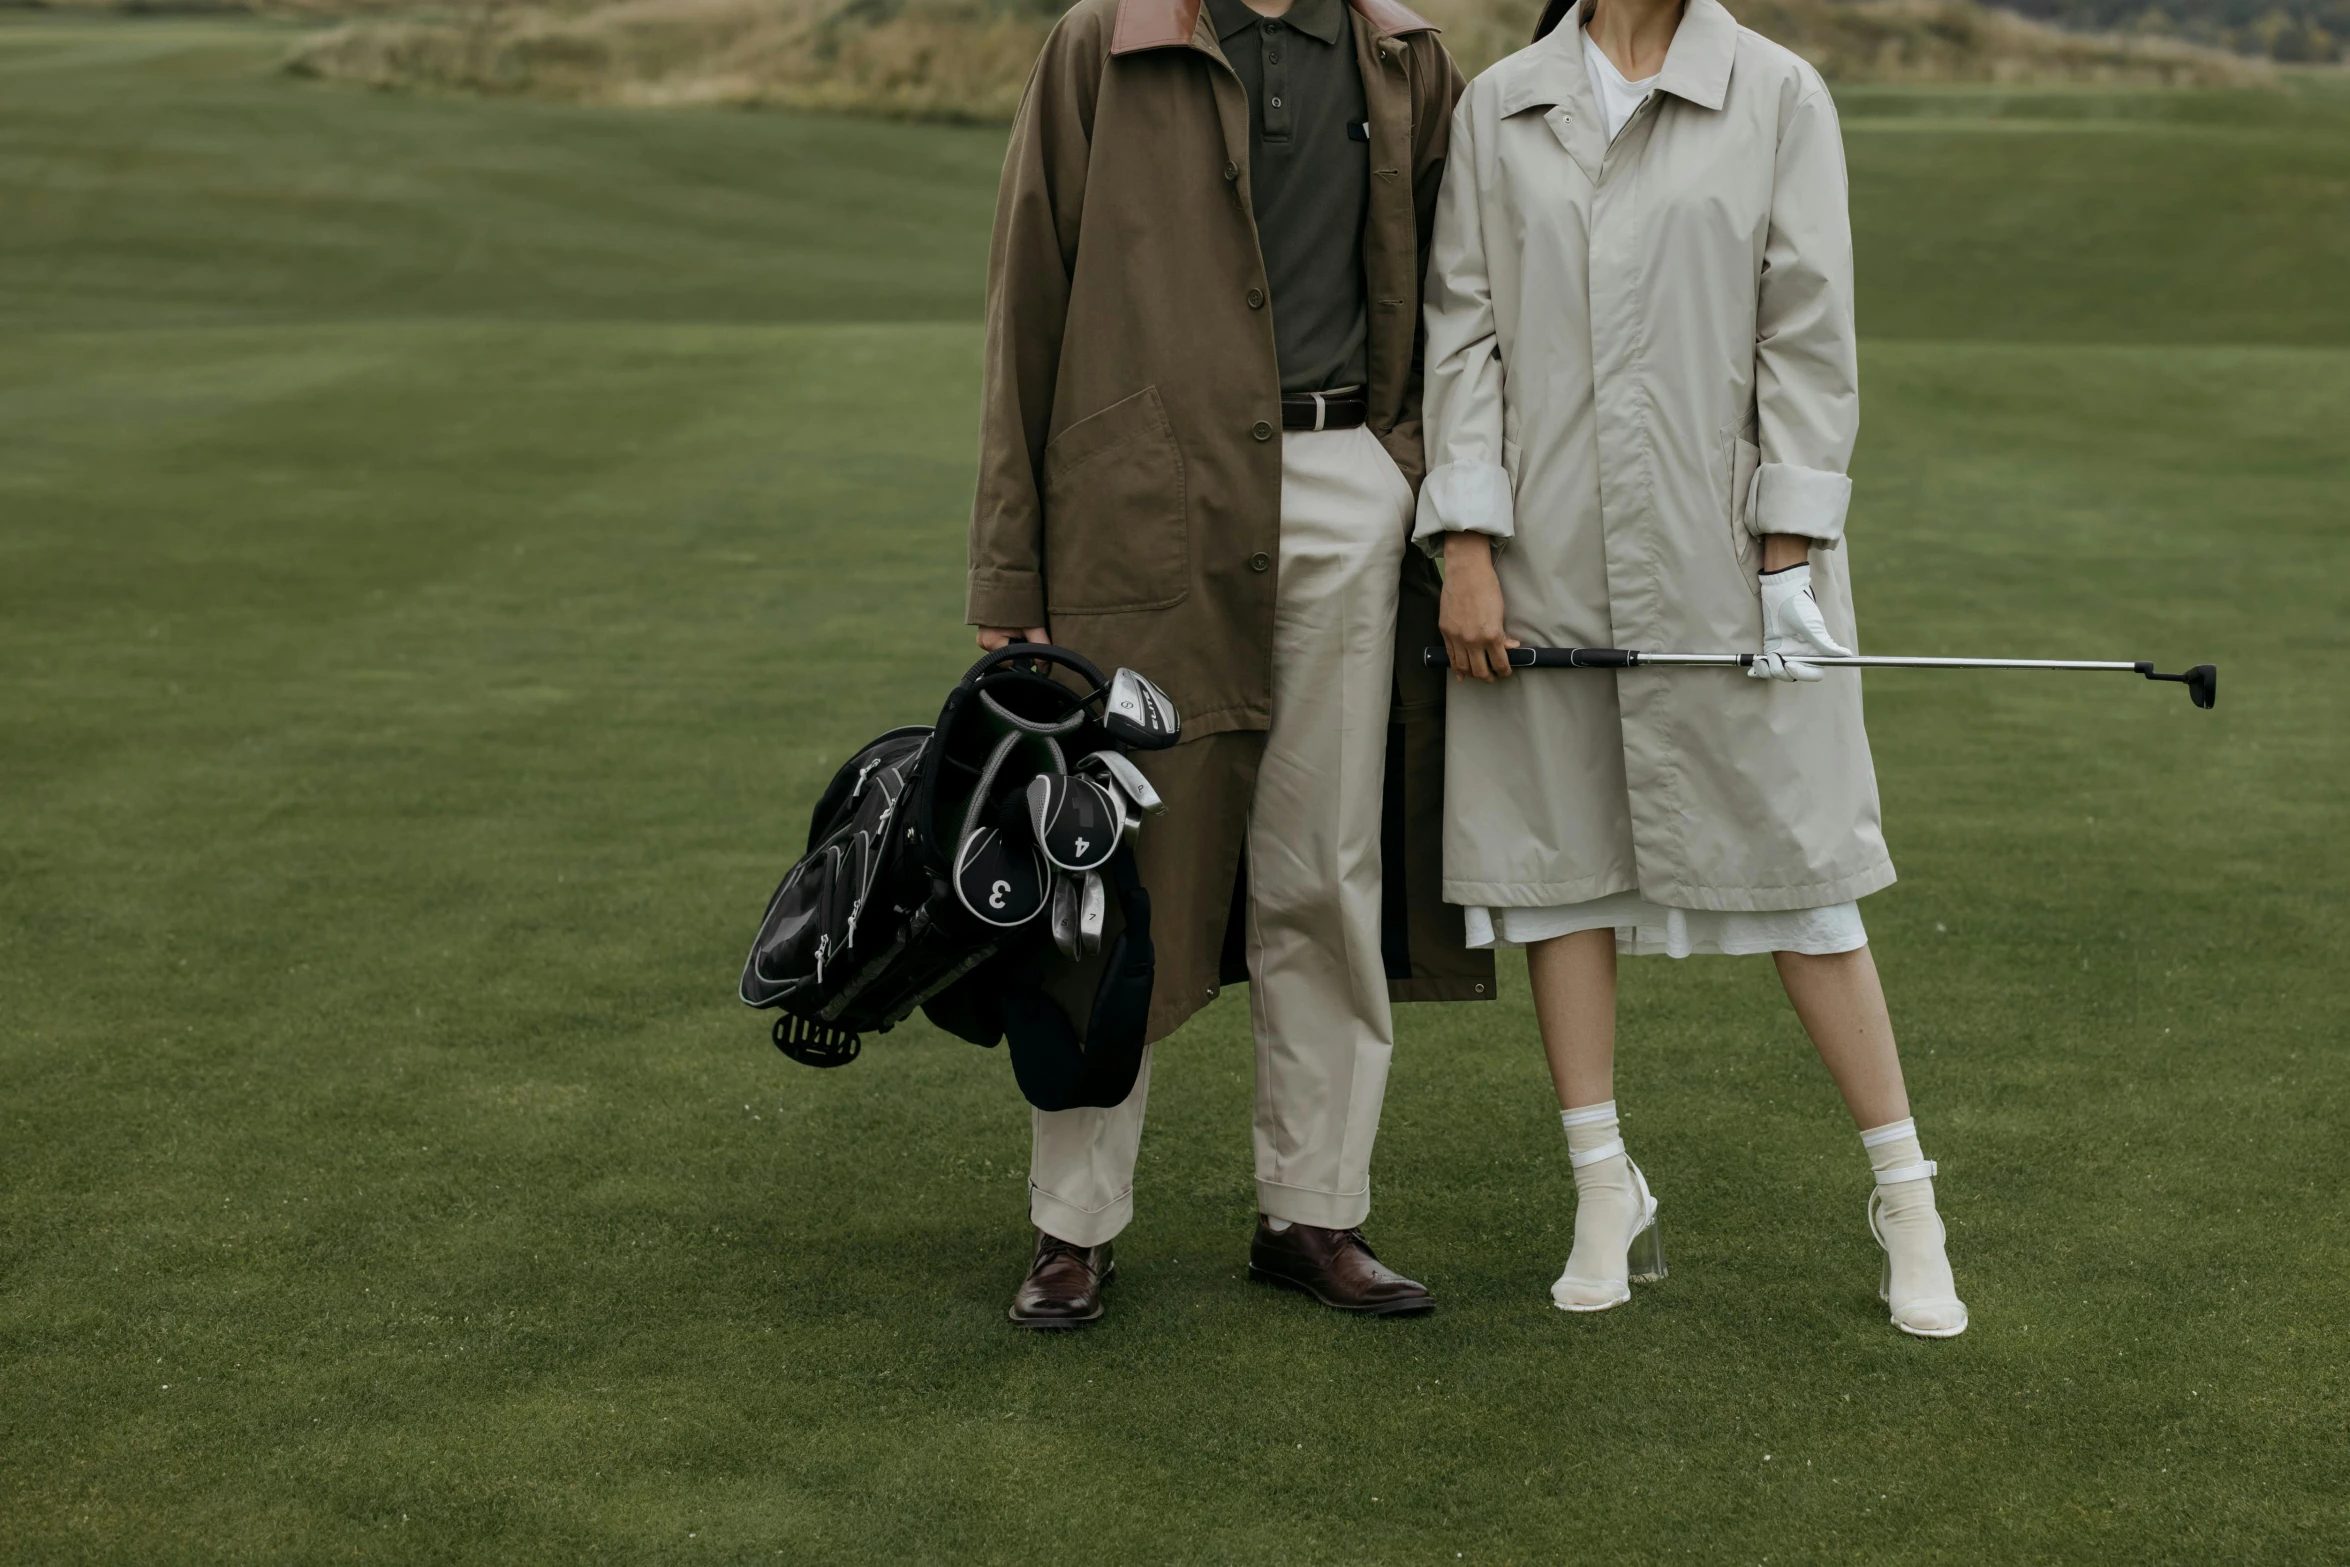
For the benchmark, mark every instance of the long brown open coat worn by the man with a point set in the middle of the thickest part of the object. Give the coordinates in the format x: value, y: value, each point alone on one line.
x: 1132, y: 443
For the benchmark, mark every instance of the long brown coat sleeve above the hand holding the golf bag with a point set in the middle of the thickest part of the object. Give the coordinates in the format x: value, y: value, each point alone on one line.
x: 1028, y: 304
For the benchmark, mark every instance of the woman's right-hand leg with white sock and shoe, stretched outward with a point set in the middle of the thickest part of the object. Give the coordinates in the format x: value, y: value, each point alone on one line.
x: 1844, y: 1007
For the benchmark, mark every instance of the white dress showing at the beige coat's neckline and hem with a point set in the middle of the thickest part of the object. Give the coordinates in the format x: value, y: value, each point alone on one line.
x: 1646, y: 927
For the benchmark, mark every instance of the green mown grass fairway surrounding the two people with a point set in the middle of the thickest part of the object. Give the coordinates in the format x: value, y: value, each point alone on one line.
x: 443, y: 551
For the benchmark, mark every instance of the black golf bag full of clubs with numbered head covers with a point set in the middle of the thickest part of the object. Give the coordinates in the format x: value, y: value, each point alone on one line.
x: 960, y: 868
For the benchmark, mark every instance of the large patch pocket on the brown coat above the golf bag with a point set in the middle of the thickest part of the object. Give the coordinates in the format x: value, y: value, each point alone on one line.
x: 1115, y: 527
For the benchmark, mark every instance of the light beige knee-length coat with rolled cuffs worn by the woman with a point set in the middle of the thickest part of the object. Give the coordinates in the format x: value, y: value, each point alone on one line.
x: 1641, y: 358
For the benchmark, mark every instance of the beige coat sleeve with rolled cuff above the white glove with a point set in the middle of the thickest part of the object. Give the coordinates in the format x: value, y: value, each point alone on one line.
x: 1808, y: 382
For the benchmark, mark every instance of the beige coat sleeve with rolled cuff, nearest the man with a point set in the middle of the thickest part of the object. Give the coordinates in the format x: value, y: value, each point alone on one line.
x: 1468, y: 490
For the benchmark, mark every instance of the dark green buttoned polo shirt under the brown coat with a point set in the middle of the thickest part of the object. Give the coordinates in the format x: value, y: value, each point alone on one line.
x: 1310, y: 182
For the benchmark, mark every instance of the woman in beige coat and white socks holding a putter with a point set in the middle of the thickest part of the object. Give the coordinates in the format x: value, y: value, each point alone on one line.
x: 1639, y: 412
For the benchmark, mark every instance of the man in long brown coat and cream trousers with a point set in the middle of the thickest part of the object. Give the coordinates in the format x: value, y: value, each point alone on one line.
x: 1200, y: 457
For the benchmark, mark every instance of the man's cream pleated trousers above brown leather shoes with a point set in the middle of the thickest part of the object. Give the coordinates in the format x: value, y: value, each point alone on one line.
x: 1317, y: 988
